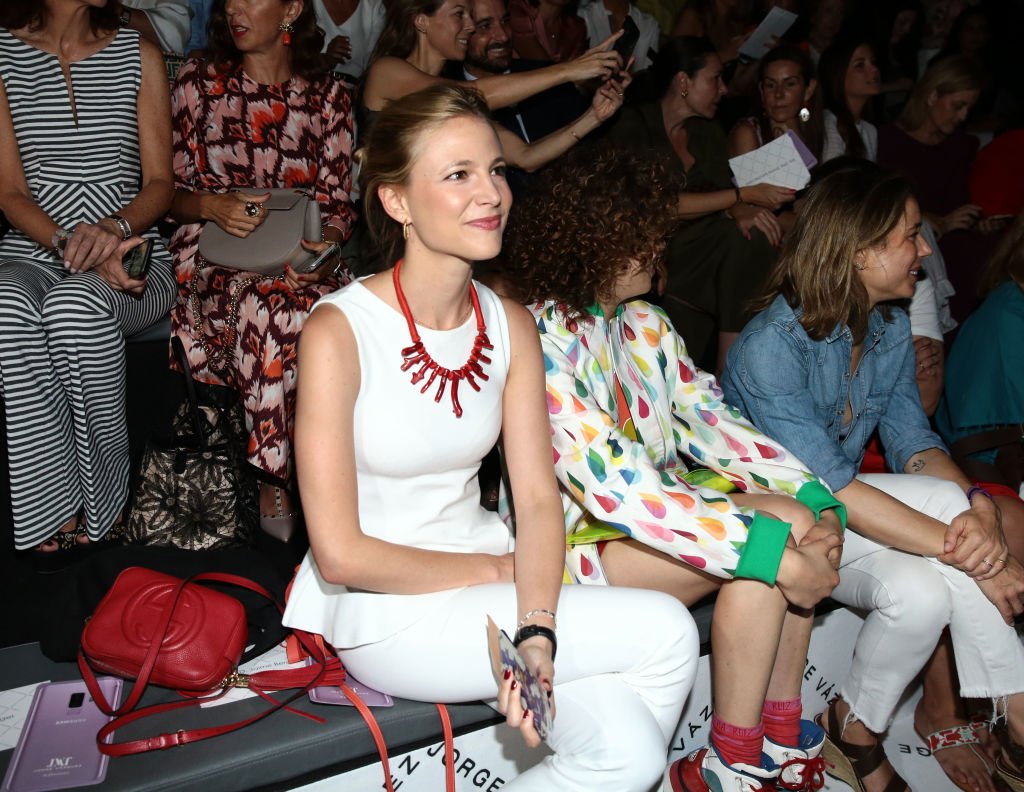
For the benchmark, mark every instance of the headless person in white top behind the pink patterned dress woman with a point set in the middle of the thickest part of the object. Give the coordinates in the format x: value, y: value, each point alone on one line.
x: 352, y: 29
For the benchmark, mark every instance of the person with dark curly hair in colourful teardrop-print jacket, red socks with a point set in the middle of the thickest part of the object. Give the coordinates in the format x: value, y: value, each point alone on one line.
x: 629, y: 412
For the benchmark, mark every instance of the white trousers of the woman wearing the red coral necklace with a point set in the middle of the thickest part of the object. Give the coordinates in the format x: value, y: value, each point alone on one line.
x: 627, y: 659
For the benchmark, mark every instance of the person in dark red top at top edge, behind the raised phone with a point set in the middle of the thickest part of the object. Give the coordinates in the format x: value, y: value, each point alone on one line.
x: 547, y: 30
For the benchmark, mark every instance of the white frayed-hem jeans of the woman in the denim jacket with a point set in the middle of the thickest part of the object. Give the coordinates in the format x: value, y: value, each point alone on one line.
x: 911, y: 600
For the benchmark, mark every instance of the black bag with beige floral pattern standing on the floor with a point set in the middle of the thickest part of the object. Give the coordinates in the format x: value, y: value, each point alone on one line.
x: 196, y: 491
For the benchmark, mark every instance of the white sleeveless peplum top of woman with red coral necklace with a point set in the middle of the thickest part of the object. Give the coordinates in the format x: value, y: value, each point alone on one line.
x: 416, y: 465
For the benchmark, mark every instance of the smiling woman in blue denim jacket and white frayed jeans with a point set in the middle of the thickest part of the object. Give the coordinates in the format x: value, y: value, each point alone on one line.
x: 826, y: 364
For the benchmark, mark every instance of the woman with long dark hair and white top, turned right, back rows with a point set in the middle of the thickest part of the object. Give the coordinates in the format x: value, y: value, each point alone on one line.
x: 850, y: 78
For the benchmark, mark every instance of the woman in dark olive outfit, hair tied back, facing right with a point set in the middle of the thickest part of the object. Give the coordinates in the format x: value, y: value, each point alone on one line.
x: 719, y: 261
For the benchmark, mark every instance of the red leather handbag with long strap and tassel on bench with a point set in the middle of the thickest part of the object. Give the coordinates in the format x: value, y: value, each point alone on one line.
x: 153, y: 628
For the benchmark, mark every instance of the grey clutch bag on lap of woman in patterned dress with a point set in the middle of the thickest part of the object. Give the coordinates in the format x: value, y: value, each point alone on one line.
x: 292, y: 217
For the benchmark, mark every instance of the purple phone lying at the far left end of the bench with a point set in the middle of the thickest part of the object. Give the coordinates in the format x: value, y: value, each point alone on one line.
x: 58, y: 745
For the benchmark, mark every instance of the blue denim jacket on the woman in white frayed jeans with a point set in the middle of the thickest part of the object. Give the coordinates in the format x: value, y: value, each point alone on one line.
x: 795, y: 390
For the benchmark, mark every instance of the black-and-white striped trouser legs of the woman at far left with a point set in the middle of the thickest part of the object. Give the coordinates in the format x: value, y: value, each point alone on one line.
x: 63, y: 382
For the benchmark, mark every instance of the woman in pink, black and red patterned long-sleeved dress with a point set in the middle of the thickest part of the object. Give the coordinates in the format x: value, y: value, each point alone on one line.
x: 259, y: 113
